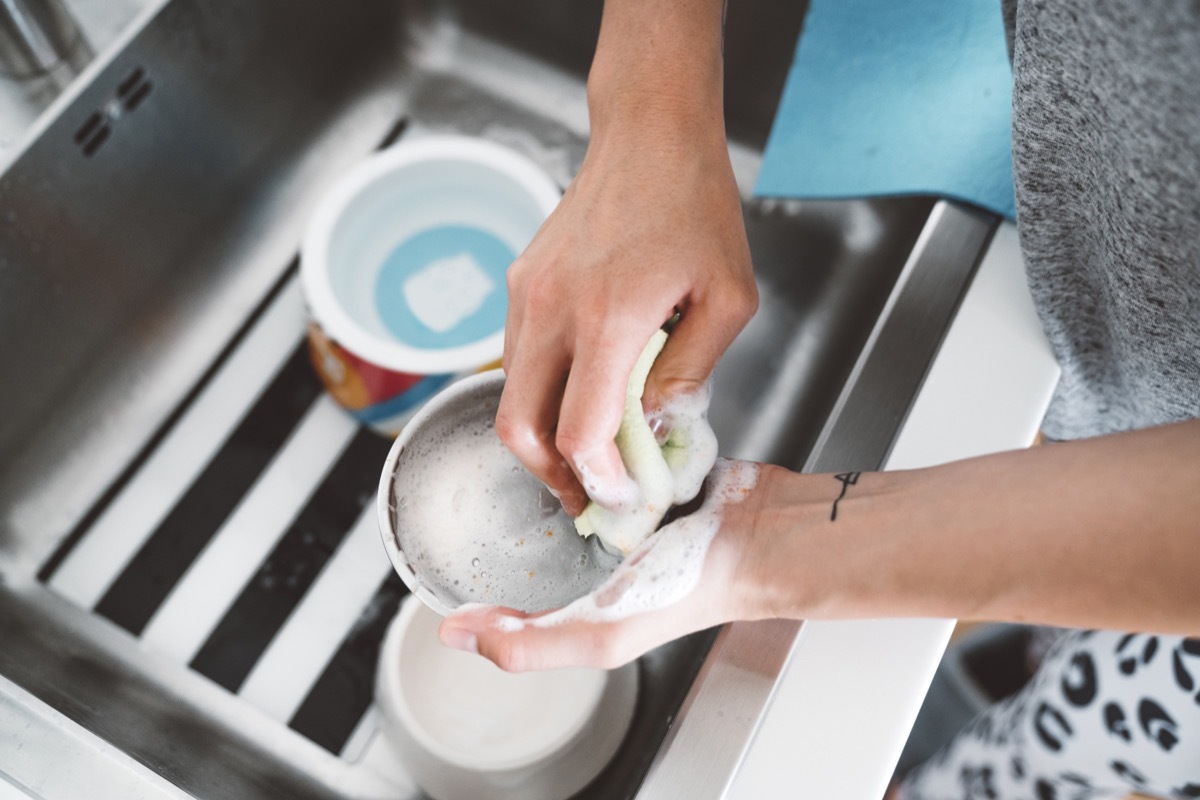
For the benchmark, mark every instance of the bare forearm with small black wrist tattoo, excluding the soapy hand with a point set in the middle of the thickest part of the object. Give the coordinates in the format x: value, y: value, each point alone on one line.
x: 1103, y: 533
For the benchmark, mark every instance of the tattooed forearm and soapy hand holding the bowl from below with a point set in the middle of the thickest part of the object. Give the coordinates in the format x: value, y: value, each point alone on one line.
x: 1035, y: 536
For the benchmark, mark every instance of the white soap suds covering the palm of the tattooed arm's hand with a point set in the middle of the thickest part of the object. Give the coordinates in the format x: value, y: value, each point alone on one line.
x: 665, y: 569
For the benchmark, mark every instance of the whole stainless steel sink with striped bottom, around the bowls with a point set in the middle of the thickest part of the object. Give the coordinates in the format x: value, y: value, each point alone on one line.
x: 158, y: 381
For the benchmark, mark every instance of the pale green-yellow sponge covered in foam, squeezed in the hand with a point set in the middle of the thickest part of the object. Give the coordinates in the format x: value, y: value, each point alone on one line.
x: 659, y: 476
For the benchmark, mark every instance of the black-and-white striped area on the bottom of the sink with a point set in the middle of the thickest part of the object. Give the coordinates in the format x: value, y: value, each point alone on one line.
x: 244, y: 545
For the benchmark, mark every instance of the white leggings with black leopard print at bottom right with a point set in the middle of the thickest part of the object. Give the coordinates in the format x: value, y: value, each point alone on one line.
x: 1107, y: 714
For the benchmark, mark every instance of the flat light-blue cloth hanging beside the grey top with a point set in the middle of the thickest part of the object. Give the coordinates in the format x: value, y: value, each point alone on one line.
x: 897, y: 98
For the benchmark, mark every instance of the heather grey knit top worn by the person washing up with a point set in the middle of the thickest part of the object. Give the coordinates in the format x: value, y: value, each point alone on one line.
x: 1107, y: 164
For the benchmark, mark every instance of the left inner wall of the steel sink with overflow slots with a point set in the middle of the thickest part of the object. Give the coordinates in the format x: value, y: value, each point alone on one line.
x: 128, y: 269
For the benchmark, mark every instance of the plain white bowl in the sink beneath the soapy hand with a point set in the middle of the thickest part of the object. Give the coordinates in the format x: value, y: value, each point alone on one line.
x: 465, y: 730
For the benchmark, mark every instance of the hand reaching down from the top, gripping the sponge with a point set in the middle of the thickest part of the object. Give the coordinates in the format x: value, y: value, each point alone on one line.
x: 651, y: 226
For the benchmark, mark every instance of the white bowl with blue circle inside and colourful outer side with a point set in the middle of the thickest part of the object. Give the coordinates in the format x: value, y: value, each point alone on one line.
x: 404, y: 269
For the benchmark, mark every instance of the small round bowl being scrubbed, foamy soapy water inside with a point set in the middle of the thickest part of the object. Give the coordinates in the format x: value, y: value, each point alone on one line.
x: 464, y: 522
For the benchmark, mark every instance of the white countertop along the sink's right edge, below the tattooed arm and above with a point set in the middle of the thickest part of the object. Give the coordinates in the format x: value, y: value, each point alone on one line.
x: 844, y: 707
